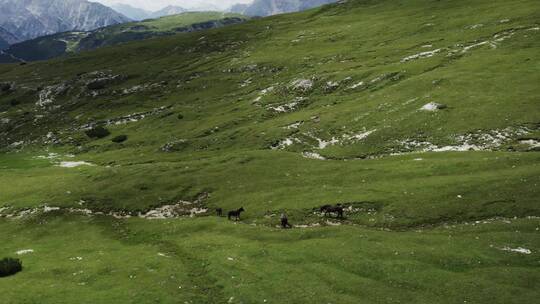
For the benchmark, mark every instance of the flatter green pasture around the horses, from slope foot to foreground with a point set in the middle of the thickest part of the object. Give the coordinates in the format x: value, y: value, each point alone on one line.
x: 441, y: 246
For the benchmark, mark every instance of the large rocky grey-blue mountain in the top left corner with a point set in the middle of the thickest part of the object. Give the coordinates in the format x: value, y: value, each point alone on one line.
x: 27, y: 19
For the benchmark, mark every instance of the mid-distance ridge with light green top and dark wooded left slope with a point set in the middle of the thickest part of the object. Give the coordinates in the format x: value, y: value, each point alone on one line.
x: 56, y: 45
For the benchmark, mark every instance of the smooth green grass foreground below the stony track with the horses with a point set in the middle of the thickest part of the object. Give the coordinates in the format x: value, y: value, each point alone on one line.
x: 78, y: 259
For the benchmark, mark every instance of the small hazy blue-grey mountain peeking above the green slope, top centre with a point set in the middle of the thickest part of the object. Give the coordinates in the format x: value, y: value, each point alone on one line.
x: 274, y: 7
